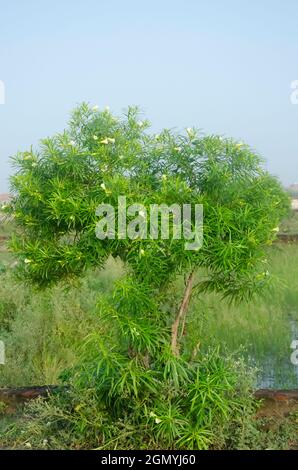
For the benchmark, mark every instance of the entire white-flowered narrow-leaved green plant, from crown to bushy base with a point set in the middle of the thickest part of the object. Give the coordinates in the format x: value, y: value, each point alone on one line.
x: 138, y: 385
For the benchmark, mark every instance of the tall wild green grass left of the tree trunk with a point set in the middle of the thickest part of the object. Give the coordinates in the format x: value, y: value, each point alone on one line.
x: 43, y: 331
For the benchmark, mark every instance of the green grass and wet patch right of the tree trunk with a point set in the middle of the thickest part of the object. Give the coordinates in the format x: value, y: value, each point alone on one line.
x: 263, y: 328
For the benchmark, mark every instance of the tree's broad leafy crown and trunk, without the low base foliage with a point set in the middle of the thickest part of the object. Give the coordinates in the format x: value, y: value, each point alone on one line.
x: 56, y: 191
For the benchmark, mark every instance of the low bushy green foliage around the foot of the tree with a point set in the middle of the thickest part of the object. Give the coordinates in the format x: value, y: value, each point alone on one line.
x: 215, y: 394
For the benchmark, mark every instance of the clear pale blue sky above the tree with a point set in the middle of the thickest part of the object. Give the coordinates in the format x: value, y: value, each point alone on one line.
x: 224, y: 66
